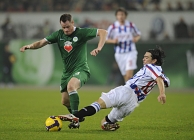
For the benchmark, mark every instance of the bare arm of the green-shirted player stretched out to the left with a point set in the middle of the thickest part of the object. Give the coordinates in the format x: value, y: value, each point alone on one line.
x: 35, y: 45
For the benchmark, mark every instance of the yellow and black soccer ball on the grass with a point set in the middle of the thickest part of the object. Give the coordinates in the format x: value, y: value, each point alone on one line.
x: 53, y: 123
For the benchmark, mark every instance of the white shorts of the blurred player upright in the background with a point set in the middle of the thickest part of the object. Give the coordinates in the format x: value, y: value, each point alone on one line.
x: 126, y: 61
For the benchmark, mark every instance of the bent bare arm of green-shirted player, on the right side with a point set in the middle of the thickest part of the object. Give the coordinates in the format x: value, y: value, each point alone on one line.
x: 102, y: 34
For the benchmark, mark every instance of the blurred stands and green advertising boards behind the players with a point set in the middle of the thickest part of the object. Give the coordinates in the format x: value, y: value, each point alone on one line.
x: 168, y: 23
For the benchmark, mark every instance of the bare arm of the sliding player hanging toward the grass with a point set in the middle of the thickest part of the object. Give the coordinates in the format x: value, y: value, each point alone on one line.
x: 162, y: 96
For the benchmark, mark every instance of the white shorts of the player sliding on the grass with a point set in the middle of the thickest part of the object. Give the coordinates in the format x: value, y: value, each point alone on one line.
x: 122, y: 99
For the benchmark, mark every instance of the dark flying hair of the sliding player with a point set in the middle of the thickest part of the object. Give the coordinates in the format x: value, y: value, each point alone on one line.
x: 157, y: 54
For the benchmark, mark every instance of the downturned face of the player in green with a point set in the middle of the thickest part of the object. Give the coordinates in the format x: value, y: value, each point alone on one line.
x: 68, y: 27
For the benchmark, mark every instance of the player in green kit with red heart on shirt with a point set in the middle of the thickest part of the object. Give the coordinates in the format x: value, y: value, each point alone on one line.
x: 72, y: 42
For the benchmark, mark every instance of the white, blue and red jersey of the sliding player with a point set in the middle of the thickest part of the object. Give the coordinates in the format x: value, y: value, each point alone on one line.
x: 144, y: 80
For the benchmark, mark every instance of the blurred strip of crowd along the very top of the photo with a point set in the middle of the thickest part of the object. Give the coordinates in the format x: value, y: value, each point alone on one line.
x: 91, y: 5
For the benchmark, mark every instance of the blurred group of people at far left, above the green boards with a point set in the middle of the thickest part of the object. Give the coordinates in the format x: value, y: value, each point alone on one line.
x: 20, y: 31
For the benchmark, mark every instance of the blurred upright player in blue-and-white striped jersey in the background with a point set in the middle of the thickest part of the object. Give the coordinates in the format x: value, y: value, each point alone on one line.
x: 124, y: 34
